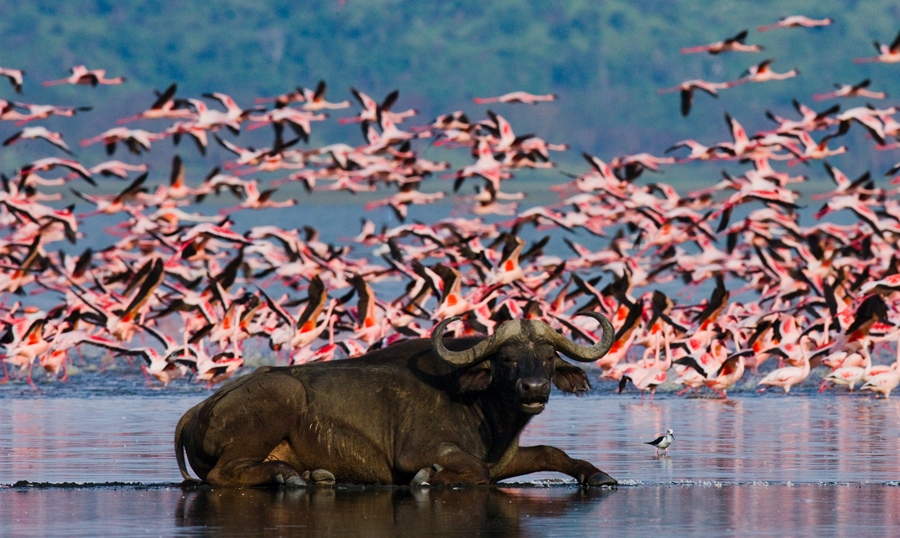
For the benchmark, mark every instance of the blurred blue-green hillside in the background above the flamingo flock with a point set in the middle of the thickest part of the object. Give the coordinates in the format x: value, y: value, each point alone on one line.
x: 606, y: 60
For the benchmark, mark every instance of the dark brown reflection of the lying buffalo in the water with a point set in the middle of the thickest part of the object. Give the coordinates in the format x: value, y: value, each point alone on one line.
x: 324, y: 512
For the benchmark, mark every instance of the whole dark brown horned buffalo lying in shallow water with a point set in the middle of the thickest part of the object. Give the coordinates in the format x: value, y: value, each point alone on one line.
x: 425, y: 411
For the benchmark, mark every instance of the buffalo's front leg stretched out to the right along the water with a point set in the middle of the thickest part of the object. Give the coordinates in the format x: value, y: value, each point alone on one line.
x: 533, y: 459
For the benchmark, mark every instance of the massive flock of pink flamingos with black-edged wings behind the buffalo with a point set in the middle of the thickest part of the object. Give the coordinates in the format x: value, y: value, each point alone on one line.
x: 704, y: 288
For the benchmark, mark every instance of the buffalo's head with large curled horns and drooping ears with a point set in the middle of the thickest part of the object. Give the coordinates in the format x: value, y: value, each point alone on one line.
x: 524, y: 360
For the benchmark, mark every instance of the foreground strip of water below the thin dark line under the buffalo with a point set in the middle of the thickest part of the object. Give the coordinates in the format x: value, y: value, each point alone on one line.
x: 744, y: 510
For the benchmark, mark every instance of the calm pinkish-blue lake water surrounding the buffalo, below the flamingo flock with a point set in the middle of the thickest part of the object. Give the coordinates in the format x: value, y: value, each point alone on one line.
x: 102, y: 463
